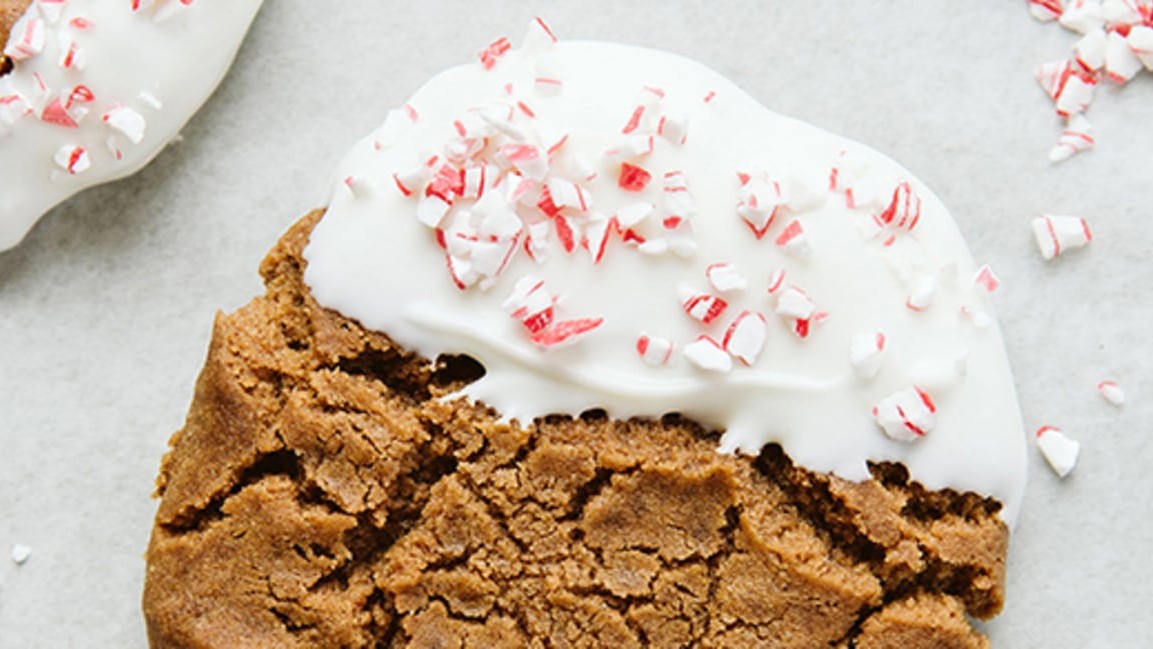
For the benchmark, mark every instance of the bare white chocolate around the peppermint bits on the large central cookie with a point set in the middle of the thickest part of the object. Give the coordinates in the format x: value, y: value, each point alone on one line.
x: 370, y: 259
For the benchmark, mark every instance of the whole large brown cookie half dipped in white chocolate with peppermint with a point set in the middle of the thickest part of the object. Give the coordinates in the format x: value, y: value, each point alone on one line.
x: 590, y: 349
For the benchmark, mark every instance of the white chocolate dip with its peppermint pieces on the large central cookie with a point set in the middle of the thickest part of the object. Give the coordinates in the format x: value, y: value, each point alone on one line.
x: 605, y: 227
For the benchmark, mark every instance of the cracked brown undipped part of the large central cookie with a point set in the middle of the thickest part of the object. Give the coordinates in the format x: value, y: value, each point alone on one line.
x: 322, y: 494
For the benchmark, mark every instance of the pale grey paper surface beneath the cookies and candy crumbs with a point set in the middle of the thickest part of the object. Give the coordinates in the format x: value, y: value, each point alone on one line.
x: 107, y: 308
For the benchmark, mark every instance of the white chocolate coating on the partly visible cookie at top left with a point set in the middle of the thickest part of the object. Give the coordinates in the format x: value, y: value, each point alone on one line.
x: 160, y: 62
